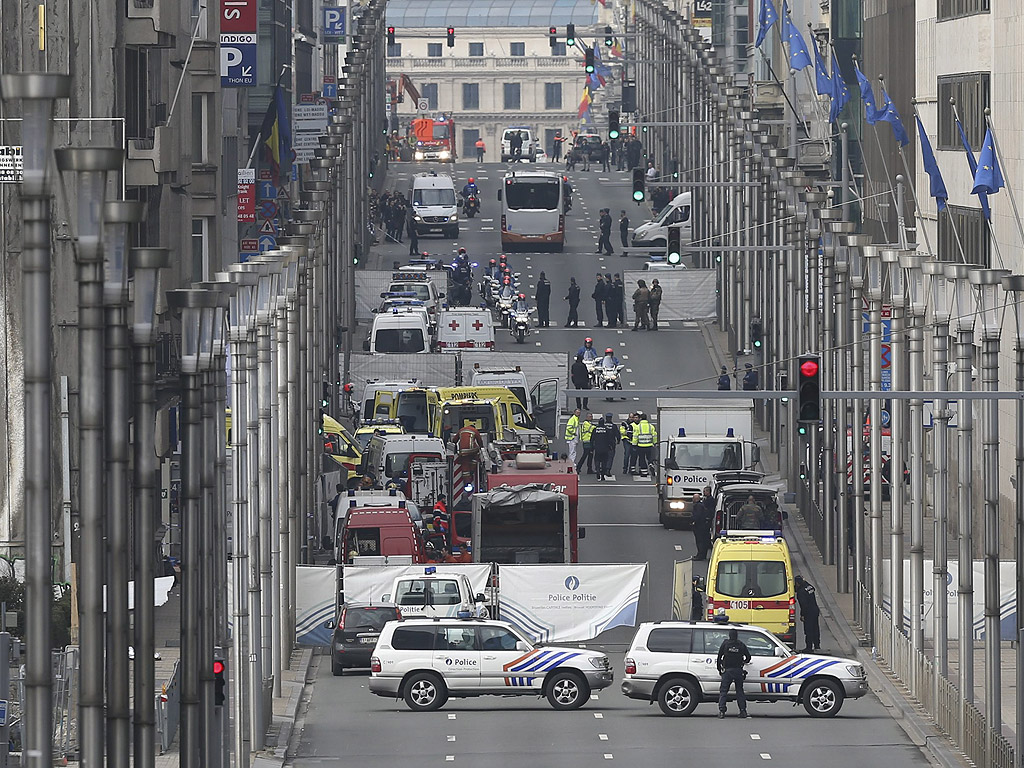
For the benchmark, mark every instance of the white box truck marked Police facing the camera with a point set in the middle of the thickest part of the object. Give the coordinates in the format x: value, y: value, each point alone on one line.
x: 701, y: 438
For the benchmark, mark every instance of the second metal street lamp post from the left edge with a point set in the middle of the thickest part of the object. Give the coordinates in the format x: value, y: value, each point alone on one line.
x: 91, y: 166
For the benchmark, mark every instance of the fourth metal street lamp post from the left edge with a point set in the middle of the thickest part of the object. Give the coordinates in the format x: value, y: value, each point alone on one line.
x: 146, y: 264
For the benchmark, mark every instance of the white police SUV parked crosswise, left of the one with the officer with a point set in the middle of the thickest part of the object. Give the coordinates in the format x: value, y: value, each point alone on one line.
x: 428, y: 661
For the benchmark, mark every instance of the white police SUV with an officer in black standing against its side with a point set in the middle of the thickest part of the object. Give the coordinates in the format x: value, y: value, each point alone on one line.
x: 674, y: 664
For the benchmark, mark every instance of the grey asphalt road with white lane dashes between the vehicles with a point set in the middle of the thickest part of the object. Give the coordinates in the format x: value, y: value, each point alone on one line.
x: 347, y: 726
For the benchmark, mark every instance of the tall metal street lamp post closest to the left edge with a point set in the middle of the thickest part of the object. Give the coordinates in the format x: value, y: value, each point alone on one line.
x: 38, y: 94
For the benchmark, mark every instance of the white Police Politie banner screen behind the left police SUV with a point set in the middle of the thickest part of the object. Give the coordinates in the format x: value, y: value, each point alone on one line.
x: 562, y: 604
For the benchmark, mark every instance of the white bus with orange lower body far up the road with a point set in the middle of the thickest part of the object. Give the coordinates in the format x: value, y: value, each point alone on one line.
x: 532, y: 210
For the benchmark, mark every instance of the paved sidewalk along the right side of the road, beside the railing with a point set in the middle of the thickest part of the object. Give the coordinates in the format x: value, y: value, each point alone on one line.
x: 838, y: 622
